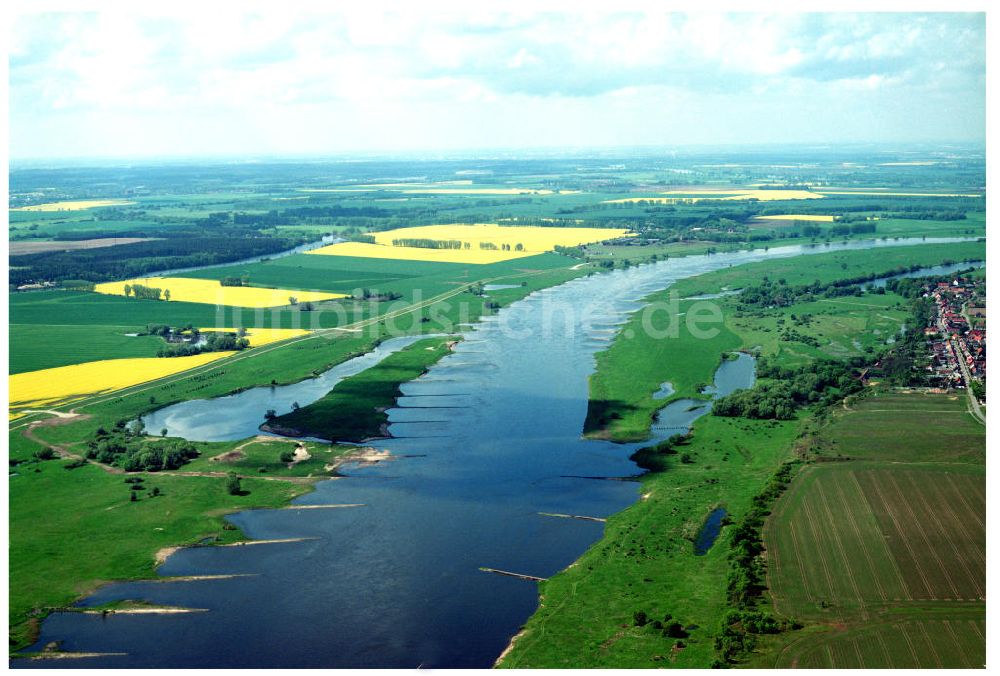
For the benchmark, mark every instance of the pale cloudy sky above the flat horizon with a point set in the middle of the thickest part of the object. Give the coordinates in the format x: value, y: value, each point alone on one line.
x: 218, y: 82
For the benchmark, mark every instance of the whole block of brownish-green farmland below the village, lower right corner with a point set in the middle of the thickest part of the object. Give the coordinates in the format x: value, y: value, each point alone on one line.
x: 865, y: 551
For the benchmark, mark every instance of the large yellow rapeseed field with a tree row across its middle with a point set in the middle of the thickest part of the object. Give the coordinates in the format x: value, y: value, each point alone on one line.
x: 532, y: 241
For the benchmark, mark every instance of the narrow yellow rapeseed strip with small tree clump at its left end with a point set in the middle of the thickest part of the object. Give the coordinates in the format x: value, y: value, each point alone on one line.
x: 211, y: 291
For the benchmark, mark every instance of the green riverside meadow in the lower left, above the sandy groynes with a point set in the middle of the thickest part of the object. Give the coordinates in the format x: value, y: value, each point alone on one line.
x: 64, y: 522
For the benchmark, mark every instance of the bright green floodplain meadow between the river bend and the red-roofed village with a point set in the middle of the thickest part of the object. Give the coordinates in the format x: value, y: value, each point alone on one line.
x: 621, y: 405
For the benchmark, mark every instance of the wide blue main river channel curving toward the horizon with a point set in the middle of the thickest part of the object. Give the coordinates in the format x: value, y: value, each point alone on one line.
x: 491, y: 438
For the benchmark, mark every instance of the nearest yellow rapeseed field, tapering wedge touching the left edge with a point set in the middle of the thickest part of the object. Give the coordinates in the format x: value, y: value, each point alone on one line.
x: 64, y: 384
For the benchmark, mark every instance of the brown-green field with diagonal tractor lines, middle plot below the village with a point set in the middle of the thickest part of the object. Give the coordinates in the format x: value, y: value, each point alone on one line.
x: 850, y: 537
